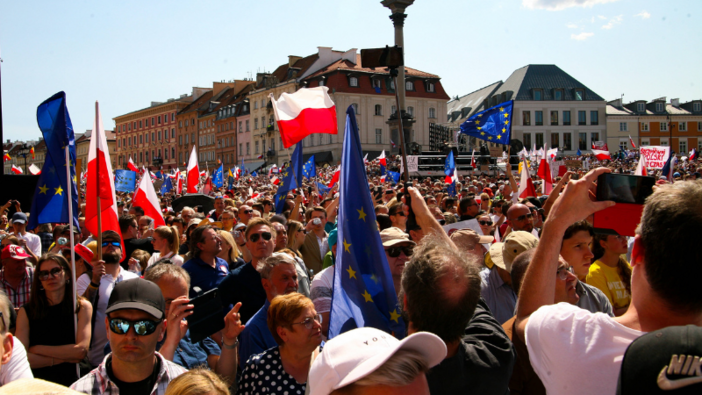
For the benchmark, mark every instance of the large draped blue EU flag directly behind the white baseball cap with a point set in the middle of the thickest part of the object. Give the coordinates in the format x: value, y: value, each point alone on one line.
x: 363, y: 293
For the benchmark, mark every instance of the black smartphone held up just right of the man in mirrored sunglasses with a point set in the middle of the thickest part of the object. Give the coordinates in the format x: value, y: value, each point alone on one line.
x: 207, y: 317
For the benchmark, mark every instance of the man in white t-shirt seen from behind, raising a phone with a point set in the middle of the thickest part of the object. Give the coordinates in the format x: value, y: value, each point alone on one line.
x: 562, y: 338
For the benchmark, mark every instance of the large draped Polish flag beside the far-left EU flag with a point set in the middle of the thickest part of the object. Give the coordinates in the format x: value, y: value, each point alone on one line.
x: 100, y: 184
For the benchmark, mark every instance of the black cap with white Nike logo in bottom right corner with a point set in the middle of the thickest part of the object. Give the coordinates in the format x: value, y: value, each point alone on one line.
x: 666, y: 361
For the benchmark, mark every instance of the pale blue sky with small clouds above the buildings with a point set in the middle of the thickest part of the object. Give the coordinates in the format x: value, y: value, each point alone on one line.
x: 126, y: 54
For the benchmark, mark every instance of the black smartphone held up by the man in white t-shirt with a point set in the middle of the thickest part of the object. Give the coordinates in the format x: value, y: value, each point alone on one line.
x: 624, y: 188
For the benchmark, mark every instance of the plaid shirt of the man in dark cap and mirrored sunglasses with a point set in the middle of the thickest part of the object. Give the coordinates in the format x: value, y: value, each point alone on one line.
x: 98, y: 382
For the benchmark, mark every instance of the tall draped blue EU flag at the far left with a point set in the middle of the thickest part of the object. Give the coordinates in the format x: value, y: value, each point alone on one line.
x: 50, y: 202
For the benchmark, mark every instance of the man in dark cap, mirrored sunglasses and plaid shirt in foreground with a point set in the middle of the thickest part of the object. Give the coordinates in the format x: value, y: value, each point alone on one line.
x: 135, y: 323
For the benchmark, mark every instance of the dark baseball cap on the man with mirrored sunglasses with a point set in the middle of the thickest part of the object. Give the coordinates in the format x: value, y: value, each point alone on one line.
x: 138, y: 294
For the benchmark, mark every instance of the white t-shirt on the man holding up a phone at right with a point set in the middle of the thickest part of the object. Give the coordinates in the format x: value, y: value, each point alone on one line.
x: 576, y: 352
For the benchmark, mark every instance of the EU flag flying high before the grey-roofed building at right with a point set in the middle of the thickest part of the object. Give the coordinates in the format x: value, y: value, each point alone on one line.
x: 493, y: 125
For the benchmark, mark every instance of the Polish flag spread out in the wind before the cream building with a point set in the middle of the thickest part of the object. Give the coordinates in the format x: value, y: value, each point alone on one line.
x: 307, y: 111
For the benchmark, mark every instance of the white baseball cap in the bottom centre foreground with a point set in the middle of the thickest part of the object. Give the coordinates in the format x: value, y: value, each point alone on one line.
x: 357, y: 353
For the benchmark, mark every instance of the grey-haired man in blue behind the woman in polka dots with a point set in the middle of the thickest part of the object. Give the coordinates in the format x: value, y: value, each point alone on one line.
x: 278, y: 277
